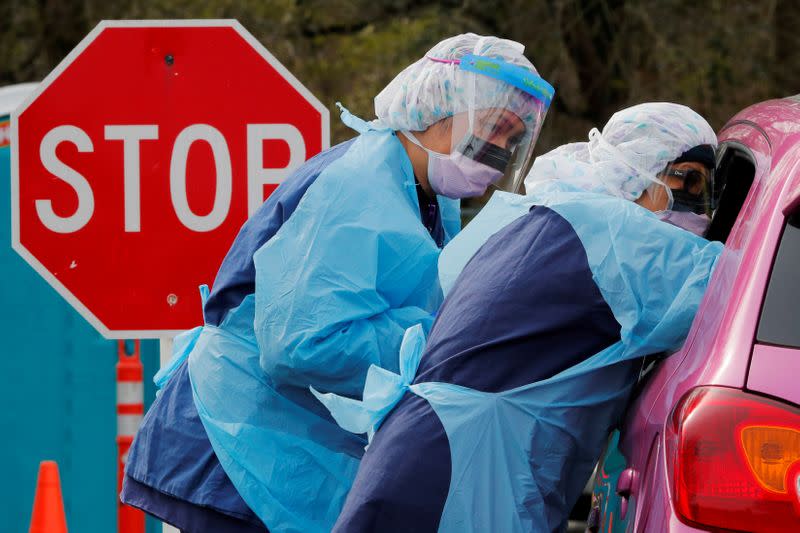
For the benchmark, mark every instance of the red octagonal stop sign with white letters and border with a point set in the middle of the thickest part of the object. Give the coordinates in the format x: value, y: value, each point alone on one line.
x: 139, y: 157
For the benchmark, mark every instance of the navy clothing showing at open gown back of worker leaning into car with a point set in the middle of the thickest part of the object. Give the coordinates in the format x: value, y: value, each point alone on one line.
x: 500, y: 327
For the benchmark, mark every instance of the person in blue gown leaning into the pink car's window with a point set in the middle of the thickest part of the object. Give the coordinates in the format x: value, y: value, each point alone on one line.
x: 553, y: 299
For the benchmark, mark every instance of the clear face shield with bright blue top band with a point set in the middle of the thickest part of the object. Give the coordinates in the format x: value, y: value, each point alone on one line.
x: 493, y: 141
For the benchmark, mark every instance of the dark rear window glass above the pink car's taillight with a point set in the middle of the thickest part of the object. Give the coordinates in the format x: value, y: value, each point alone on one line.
x: 780, y: 320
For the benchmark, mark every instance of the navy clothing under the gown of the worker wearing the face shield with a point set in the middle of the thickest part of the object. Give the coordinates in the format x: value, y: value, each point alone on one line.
x: 172, y: 471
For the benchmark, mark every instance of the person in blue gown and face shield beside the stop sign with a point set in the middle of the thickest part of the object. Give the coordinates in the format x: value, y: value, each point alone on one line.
x: 320, y: 284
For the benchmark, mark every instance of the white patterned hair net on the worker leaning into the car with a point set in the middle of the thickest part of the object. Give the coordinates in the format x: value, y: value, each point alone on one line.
x: 624, y: 159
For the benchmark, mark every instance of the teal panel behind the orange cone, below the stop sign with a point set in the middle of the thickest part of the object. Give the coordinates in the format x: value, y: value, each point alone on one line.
x: 57, y: 394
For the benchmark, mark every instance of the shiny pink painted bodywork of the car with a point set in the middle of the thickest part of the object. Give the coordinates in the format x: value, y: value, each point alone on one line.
x: 719, y: 349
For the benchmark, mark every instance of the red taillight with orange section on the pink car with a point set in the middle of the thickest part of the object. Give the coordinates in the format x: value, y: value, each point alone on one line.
x: 734, y: 461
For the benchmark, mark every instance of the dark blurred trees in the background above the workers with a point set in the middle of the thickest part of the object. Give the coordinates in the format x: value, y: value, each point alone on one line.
x: 715, y: 56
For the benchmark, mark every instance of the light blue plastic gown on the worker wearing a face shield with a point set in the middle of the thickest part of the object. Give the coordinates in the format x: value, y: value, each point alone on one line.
x: 335, y: 288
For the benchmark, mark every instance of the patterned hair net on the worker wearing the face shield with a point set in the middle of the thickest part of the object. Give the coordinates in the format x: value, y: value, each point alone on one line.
x: 433, y: 88
